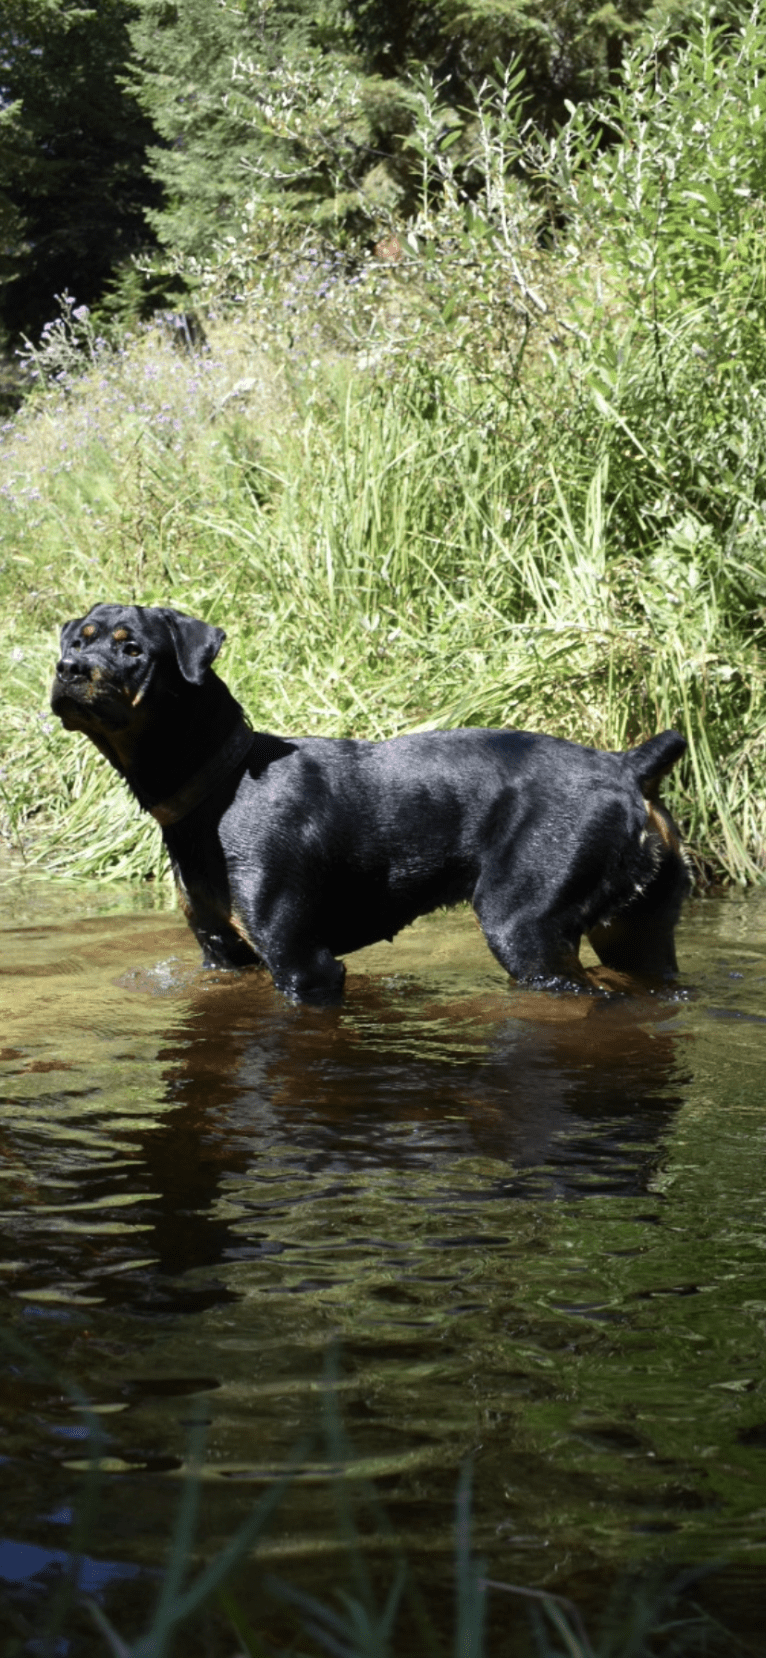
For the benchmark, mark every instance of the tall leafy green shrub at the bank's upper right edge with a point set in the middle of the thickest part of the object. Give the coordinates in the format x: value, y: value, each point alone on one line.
x: 672, y: 220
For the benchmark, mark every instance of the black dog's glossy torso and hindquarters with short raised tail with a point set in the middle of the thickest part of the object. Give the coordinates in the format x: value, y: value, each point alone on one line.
x: 548, y: 840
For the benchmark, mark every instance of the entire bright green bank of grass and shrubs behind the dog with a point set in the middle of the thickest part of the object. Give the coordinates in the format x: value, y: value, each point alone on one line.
x: 548, y: 516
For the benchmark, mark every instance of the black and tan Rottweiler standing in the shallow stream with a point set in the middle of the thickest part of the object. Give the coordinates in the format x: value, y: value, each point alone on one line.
x: 293, y: 851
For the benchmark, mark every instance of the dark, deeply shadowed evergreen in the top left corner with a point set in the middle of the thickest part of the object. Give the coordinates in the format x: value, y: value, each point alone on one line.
x: 72, y: 155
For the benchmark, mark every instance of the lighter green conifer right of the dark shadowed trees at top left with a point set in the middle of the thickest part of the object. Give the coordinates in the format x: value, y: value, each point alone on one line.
x: 221, y: 87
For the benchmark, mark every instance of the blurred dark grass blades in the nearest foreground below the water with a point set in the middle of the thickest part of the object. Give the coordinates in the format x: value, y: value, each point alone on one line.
x: 647, y: 1614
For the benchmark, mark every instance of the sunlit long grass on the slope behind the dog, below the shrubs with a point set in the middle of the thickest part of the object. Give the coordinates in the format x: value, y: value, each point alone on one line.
x: 384, y: 555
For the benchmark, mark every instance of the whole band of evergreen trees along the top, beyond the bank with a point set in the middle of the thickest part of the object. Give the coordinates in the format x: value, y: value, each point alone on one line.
x: 143, y: 119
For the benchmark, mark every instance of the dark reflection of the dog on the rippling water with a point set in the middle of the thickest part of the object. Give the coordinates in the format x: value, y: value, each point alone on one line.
x: 560, y: 1097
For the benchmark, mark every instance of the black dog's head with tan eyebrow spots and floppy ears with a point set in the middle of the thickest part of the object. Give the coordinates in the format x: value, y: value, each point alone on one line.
x: 119, y: 661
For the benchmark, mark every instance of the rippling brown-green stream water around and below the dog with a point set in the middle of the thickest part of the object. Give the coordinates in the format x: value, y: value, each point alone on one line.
x: 520, y: 1226
